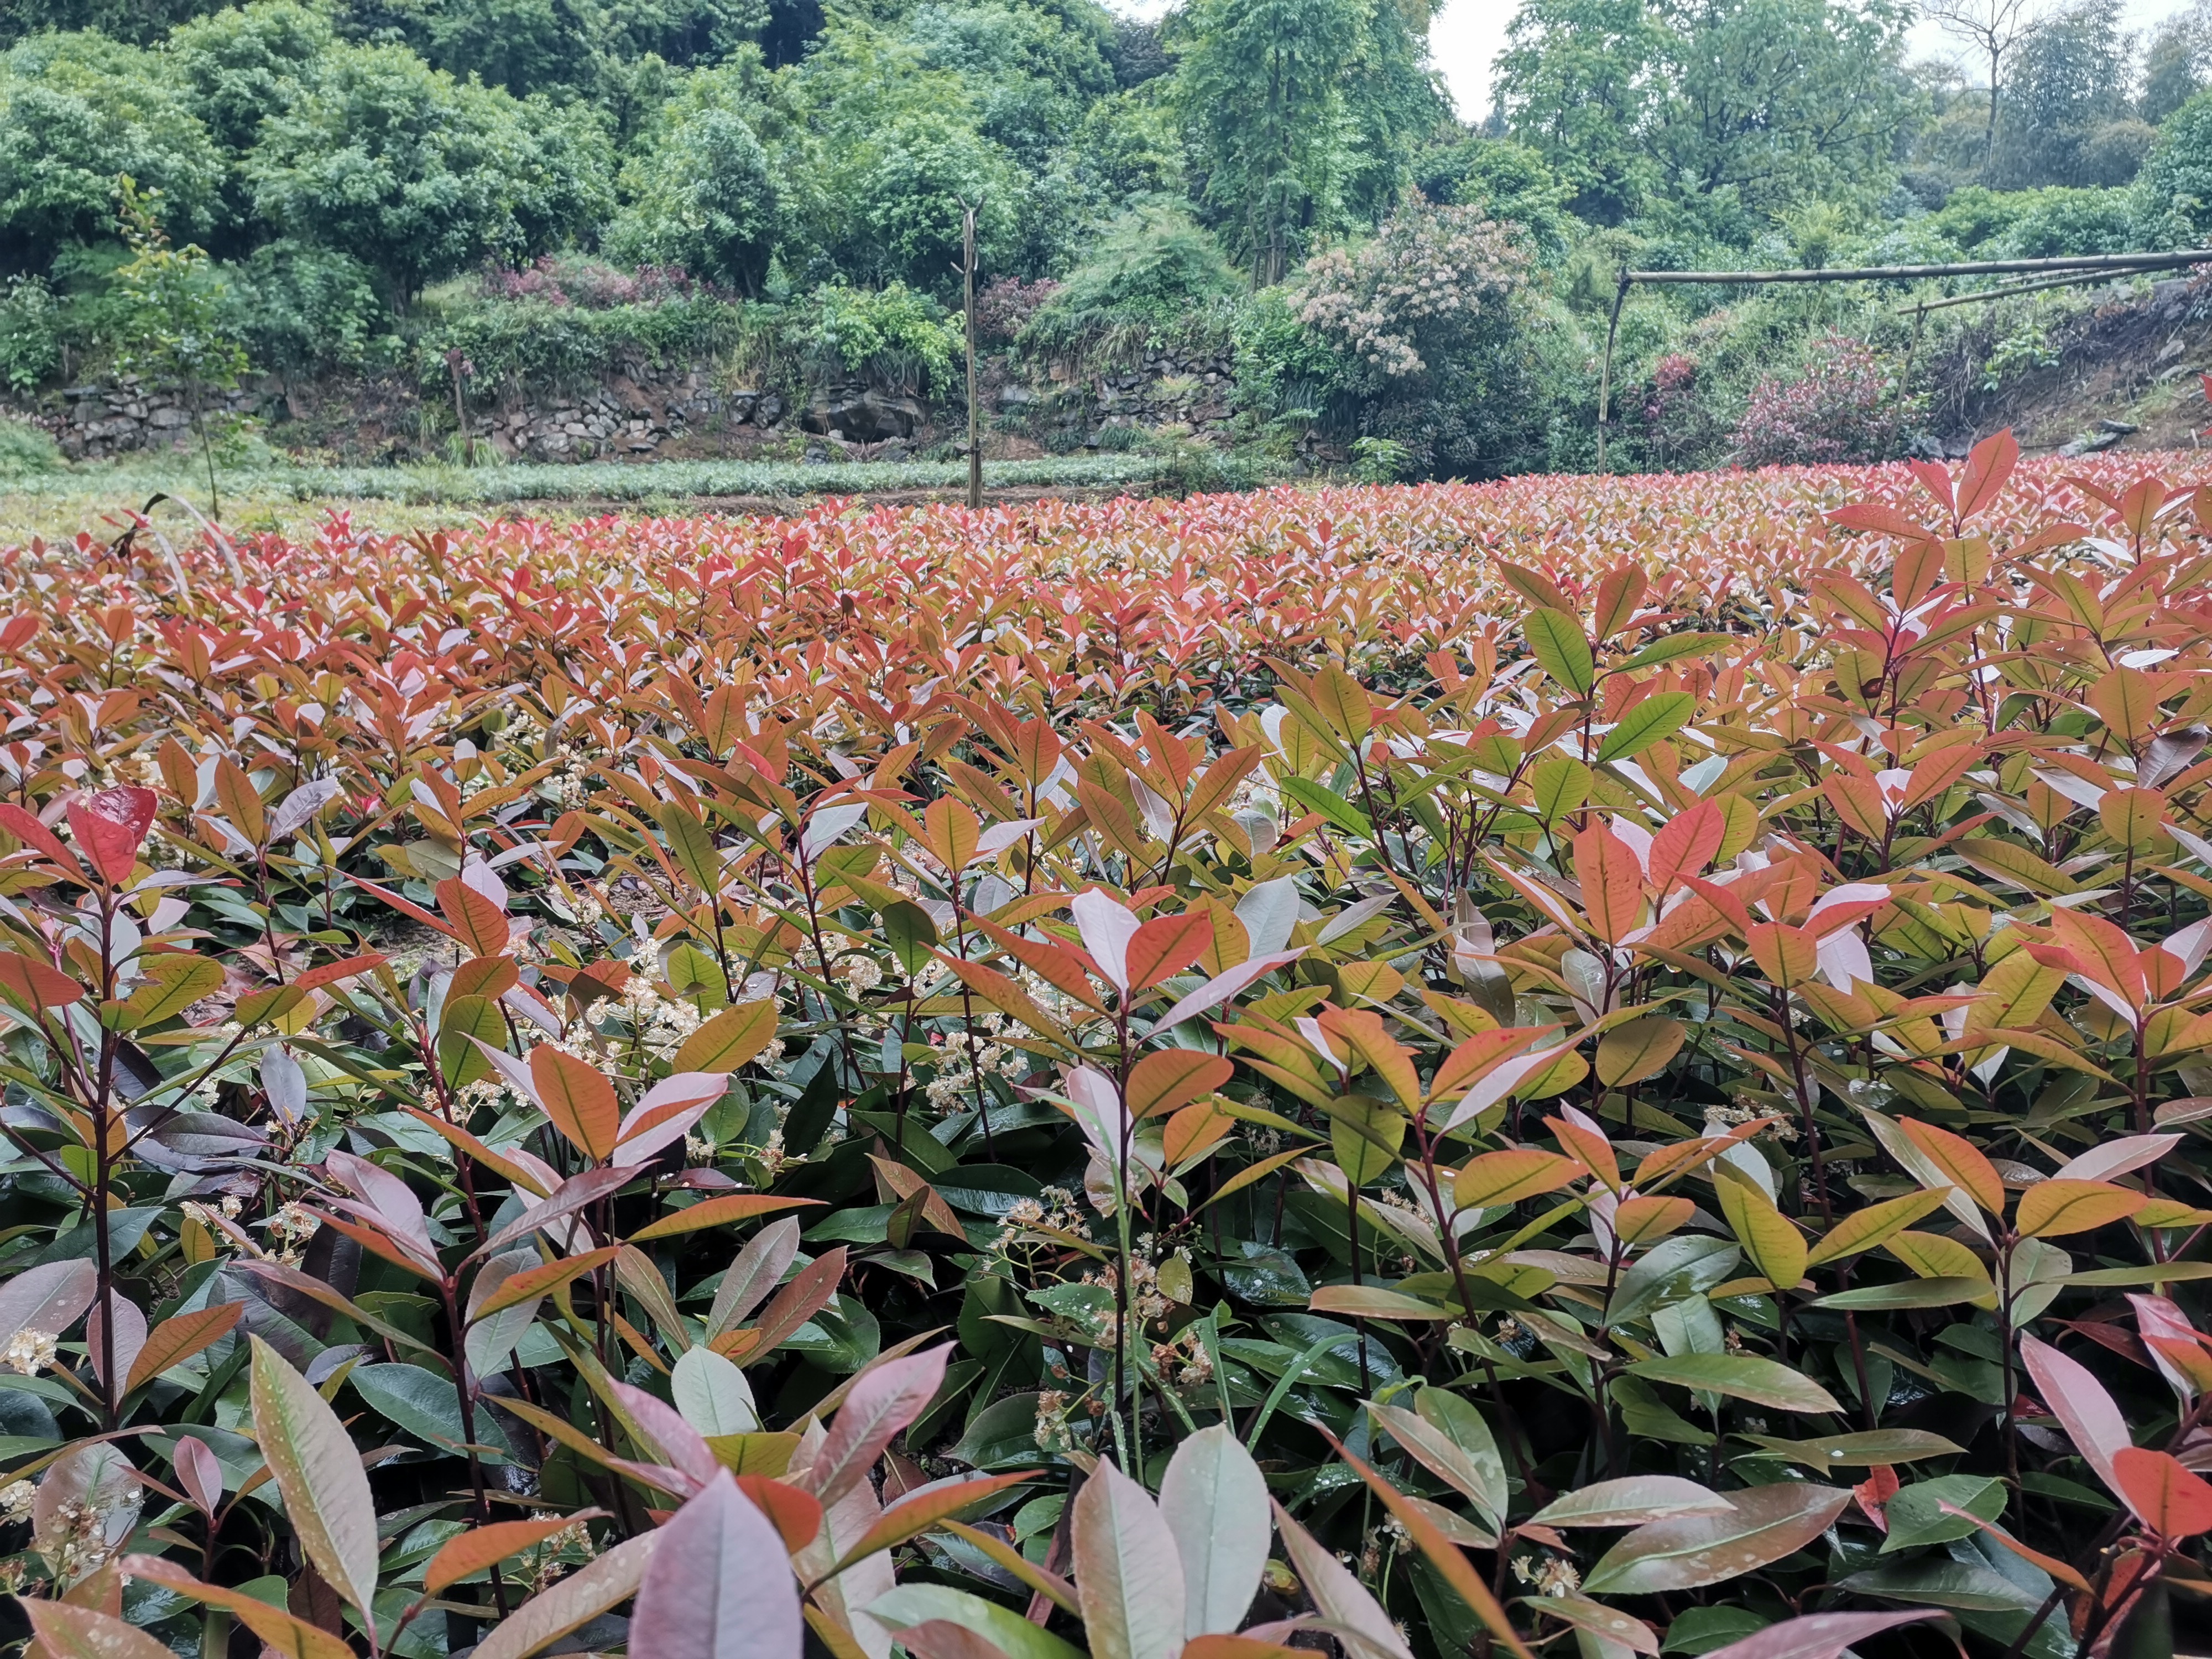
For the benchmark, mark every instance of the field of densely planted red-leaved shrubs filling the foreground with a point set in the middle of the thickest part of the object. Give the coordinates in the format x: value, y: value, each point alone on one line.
x: 1596, y: 1067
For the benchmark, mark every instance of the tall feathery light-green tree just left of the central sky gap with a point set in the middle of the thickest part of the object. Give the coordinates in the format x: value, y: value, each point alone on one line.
x: 1262, y: 85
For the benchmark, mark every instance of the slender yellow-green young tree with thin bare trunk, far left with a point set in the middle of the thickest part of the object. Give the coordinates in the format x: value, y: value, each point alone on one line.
x: 171, y: 320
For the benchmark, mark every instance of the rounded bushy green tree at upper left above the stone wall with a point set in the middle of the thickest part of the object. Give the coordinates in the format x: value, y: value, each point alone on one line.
x: 419, y: 176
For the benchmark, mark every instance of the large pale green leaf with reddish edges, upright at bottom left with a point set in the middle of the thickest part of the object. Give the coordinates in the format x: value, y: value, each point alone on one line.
x: 315, y: 1465
